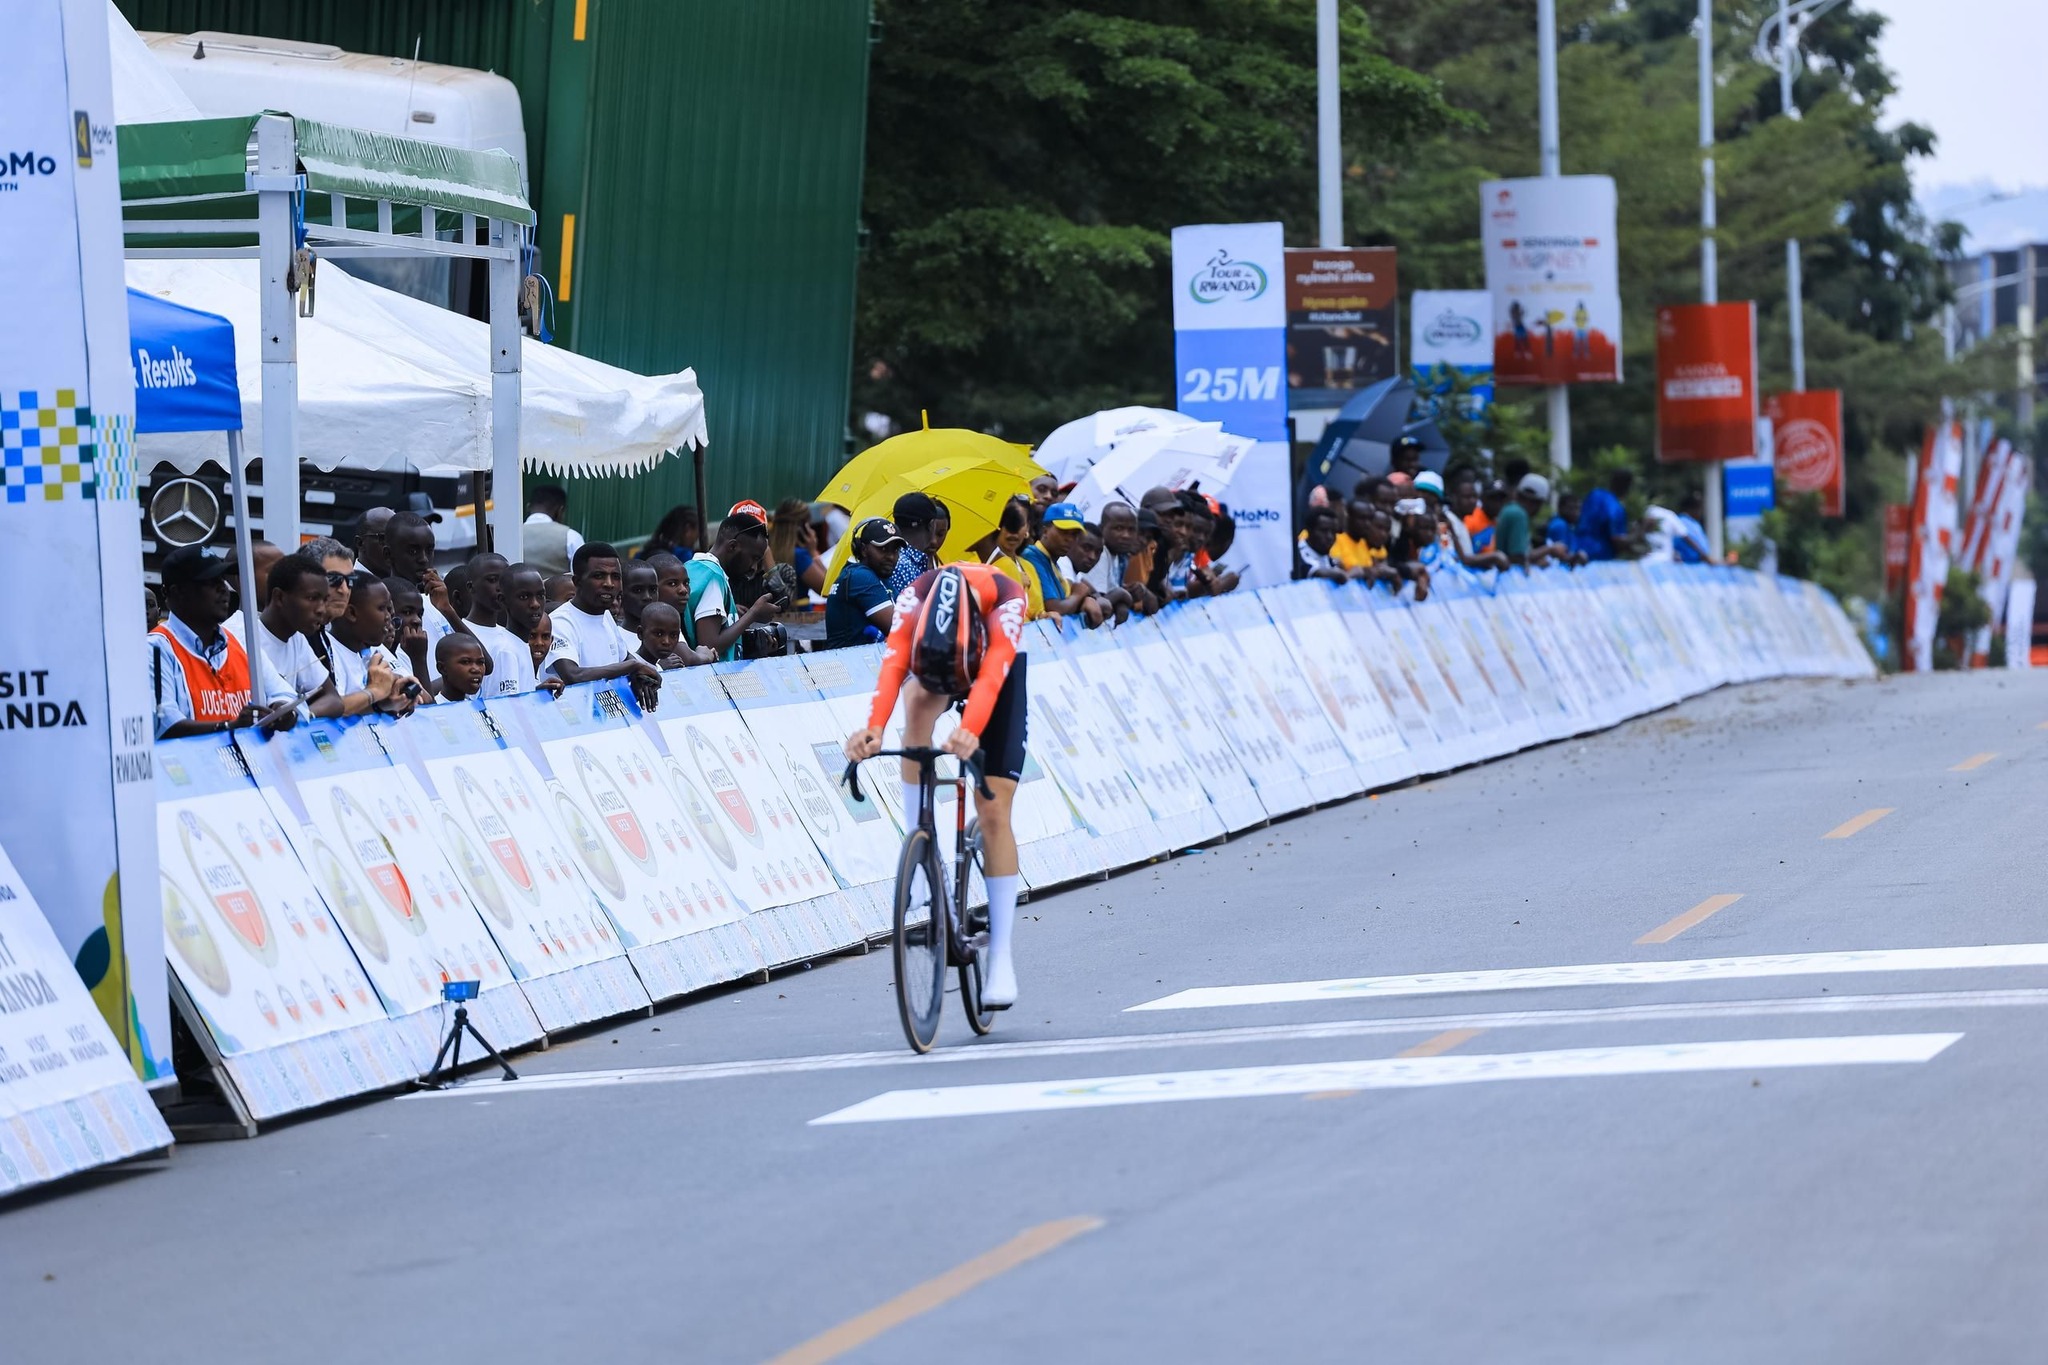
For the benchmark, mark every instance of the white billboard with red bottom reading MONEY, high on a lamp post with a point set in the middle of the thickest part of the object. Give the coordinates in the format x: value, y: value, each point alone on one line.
x: 1553, y: 271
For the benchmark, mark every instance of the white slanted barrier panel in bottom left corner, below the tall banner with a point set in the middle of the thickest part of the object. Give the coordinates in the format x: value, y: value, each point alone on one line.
x: 69, y: 1096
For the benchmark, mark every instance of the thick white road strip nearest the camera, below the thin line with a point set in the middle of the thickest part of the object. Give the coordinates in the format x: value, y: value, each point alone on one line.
x: 1390, y: 1073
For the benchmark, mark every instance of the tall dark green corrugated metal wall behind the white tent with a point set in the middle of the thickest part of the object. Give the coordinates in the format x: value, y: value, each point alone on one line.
x: 712, y: 152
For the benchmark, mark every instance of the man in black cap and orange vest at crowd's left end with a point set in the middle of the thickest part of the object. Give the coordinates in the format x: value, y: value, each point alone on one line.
x: 202, y: 678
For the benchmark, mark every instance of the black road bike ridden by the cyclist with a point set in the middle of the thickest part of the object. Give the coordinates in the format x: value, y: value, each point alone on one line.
x: 935, y: 926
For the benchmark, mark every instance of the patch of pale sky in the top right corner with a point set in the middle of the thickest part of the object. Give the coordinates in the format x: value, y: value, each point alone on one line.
x: 1969, y: 71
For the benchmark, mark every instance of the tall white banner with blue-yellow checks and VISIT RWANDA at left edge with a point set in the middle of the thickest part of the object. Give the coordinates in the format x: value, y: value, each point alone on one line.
x: 73, y: 699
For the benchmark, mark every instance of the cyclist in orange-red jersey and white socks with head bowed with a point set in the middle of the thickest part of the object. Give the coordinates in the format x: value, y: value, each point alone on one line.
x: 957, y: 640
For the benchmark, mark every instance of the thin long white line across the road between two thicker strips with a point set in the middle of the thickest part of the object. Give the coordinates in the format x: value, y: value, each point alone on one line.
x: 1252, y: 1034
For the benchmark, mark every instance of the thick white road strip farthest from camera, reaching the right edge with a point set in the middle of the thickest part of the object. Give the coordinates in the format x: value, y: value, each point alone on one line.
x: 1611, y: 975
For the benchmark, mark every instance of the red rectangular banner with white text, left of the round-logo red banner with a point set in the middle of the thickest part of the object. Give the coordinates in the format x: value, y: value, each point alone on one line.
x: 1707, y: 382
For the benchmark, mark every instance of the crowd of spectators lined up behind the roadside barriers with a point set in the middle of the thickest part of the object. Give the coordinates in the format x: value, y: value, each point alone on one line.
x: 376, y: 627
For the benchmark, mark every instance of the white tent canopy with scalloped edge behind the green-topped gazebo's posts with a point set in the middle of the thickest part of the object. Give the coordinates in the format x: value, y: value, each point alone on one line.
x: 388, y: 382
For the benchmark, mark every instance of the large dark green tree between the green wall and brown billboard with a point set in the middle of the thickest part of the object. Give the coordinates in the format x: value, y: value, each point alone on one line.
x: 1029, y: 159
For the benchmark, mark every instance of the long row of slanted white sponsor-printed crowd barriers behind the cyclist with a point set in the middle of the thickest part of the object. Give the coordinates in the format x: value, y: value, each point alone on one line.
x: 585, y: 858
